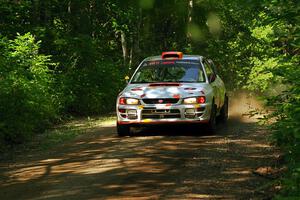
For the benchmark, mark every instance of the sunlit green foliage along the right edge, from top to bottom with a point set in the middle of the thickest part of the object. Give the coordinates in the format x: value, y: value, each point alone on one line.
x: 276, y: 63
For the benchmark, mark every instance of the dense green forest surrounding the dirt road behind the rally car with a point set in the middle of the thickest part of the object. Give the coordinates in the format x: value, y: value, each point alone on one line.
x: 62, y: 58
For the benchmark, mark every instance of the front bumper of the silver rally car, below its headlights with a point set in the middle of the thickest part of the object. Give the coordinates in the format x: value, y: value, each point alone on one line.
x: 163, y: 114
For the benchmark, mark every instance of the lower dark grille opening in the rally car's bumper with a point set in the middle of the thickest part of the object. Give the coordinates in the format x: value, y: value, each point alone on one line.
x: 161, y: 114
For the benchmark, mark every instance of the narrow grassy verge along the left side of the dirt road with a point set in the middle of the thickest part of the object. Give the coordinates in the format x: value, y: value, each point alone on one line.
x: 58, y: 134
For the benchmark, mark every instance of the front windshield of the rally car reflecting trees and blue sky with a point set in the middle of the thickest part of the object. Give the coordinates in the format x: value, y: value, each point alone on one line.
x: 169, y: 71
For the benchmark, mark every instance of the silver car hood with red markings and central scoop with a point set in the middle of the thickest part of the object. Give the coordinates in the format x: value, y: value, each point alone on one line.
x: 165, y: 90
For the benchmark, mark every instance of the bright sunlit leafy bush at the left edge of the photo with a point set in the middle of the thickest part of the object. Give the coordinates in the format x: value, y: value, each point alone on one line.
x: 27, y: 101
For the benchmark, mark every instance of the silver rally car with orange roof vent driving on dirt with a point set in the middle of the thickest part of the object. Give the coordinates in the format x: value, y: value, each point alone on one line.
x: 172, y: 88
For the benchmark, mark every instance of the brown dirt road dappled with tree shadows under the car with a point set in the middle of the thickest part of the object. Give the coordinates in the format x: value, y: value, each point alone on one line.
x: 167, y: 163
